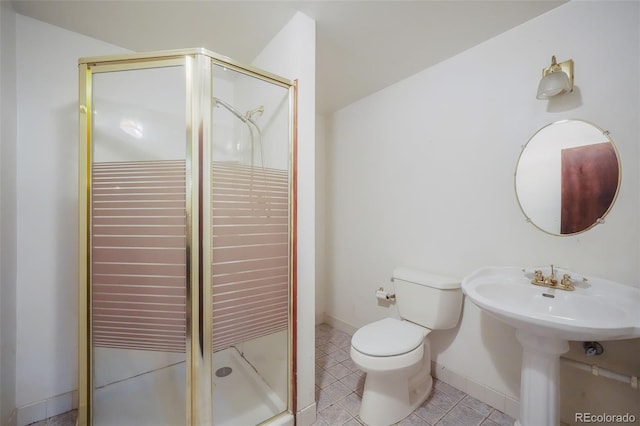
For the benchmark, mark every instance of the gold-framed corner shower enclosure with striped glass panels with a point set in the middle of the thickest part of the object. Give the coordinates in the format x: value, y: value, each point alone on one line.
x: 187, y: 233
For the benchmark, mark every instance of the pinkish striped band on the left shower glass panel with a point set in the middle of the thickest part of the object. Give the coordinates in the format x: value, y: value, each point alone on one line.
x: 139, y: 252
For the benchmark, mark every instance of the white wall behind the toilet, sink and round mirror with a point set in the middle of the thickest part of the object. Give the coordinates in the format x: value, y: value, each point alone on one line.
x: 421, y: 173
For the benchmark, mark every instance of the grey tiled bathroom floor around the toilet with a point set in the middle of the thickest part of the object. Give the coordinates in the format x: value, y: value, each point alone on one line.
x: 339, y: 387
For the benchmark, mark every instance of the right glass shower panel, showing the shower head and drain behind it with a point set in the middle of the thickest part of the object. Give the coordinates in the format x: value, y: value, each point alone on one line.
x: 251, y: 248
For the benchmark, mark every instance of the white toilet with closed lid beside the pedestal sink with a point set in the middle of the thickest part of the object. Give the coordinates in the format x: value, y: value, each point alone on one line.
x: 395, y: 354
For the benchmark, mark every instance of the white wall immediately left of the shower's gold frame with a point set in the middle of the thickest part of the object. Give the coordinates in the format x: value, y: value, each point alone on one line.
x: 47, y: 90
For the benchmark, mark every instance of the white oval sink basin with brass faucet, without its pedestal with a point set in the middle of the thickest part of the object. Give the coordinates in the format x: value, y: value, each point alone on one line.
x: 597, y: 309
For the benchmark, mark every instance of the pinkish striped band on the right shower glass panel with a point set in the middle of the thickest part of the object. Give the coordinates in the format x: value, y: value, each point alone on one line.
x: 250, y: 252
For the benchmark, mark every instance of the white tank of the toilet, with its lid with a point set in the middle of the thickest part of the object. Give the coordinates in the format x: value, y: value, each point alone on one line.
x: 430, y: 300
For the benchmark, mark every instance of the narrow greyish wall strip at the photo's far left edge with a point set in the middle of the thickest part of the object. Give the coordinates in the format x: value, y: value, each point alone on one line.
x: 8, y: 214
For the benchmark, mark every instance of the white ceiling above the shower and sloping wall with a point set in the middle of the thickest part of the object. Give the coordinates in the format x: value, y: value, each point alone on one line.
x: 361, y: 46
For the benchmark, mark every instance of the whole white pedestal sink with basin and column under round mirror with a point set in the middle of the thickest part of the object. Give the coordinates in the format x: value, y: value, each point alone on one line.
x: 546, y: 319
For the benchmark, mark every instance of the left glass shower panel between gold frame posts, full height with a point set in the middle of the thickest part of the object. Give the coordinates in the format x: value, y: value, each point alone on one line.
x: 138, y: 247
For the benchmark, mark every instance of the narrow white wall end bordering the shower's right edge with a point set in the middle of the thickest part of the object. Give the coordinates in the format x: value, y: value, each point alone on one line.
x: 291, y: 54
